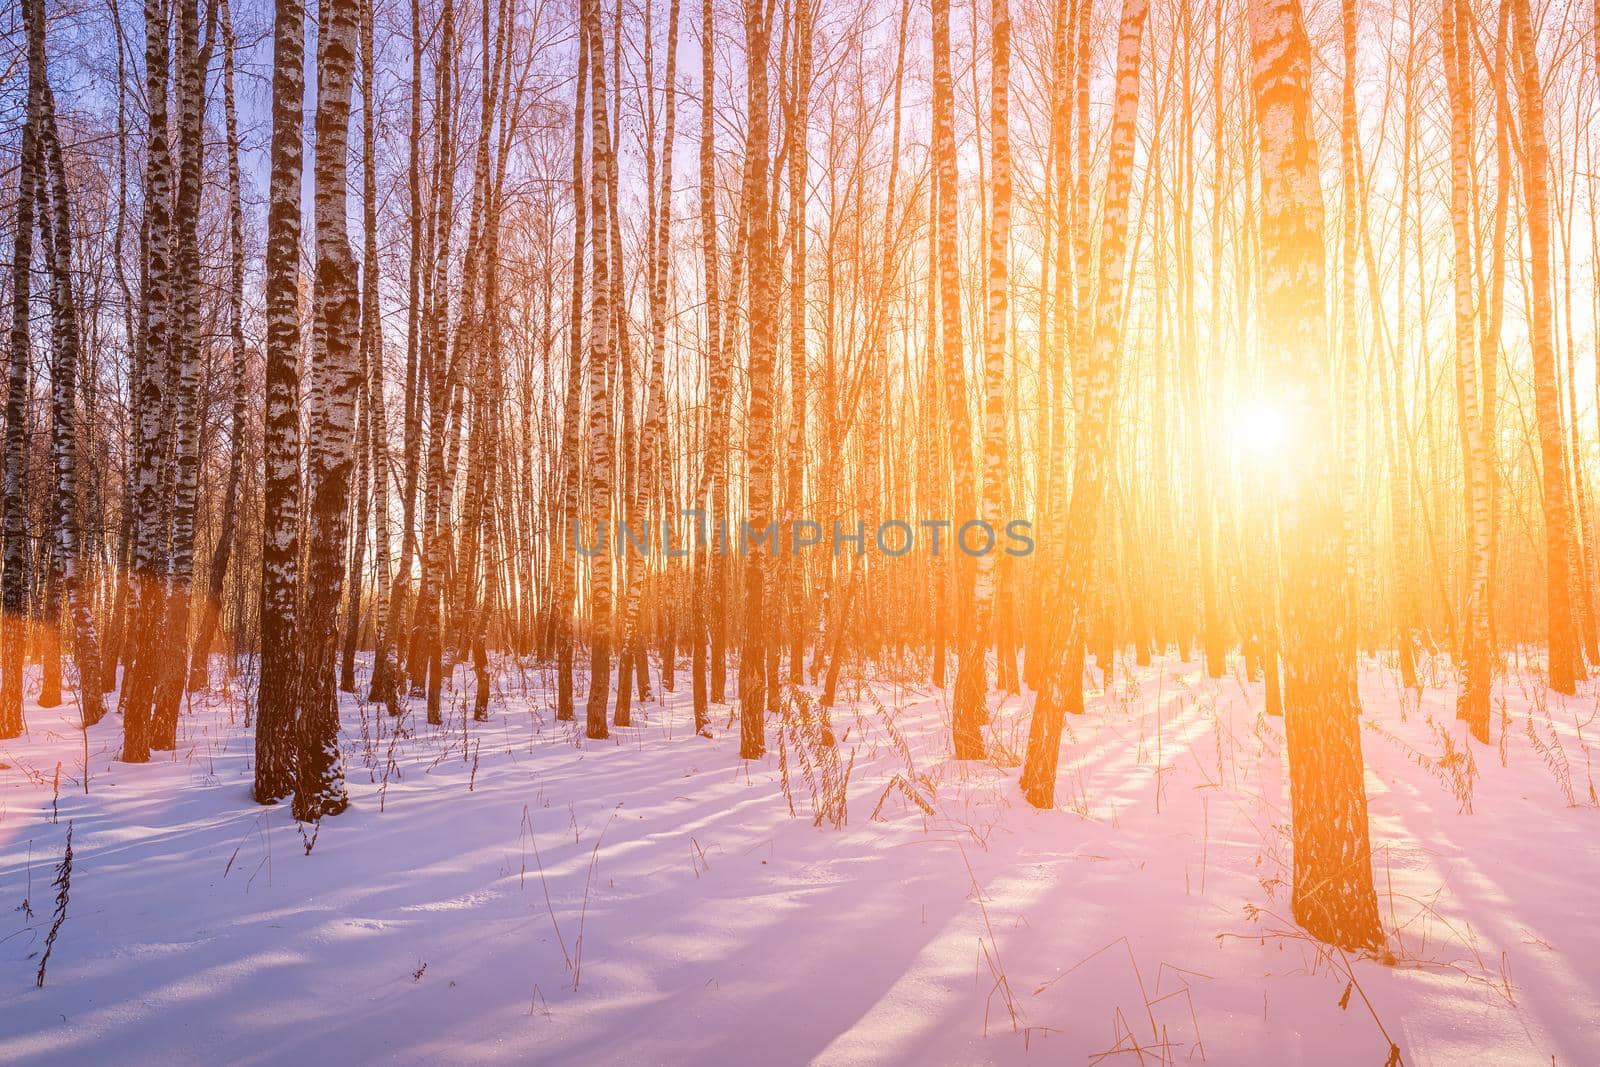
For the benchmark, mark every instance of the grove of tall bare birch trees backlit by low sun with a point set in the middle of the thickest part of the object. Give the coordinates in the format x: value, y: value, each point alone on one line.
x: 794, y: 348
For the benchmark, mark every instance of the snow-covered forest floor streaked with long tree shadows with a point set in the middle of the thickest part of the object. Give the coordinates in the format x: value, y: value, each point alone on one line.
x: 508, y: 892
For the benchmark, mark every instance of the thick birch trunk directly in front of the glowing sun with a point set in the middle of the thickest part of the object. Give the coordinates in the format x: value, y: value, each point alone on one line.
x: 1334, y: 876
